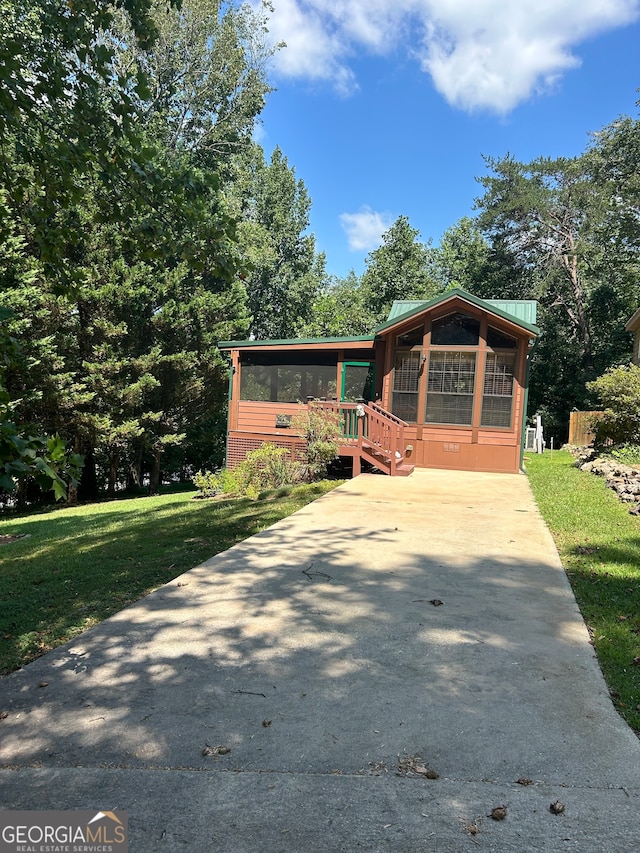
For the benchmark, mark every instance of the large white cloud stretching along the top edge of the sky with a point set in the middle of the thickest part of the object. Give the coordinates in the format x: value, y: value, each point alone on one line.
x: 487, y: 54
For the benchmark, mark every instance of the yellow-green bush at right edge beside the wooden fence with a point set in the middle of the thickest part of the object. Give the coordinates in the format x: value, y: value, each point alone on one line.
x: 619, y: 391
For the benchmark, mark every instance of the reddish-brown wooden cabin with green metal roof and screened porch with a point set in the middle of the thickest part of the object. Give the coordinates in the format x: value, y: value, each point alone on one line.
x: 441, y: 384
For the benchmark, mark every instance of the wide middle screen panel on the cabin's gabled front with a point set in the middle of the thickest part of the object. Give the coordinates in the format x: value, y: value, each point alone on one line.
x: 450, y: 387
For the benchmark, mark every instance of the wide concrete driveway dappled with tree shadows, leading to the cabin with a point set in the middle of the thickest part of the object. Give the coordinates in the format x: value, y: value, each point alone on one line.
x: 316, y: 653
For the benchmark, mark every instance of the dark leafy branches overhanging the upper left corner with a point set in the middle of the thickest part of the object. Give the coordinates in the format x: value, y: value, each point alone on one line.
x: 58, y: 92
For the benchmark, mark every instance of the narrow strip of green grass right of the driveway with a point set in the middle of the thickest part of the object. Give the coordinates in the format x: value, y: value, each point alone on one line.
x: 599, y: 544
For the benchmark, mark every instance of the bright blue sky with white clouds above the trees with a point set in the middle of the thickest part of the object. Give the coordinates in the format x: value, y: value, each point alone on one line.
x: 385, y: 107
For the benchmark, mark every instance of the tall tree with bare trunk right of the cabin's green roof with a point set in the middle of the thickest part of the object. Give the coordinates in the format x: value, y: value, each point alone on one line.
x: 566, y: 228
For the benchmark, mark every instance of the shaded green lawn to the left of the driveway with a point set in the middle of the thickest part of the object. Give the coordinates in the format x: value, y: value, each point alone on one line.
x: 78, y: 565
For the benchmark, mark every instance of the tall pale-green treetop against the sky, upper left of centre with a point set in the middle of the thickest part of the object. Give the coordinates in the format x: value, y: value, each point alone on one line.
x: 205, y: 75
